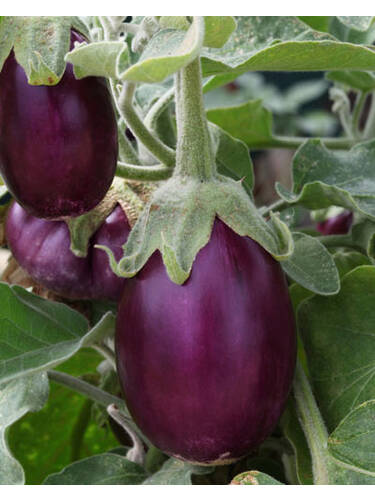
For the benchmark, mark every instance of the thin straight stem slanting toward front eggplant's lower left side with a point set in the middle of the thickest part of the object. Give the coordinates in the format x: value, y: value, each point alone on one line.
x: 94, y: 393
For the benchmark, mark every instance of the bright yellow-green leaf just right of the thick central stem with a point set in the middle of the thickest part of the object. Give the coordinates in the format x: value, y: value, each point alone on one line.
x: 250, y: 122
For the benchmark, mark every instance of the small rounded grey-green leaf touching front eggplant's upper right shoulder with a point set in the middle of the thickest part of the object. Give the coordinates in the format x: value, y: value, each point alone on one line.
x: 312, y: 266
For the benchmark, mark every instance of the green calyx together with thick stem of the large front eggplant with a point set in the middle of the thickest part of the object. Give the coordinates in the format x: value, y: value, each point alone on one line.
x: 179, y: 217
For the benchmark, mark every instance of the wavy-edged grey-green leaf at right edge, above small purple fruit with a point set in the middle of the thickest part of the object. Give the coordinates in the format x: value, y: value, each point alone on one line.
x: 323, y: 178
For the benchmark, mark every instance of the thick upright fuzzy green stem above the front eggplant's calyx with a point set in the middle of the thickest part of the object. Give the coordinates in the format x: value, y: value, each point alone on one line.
x: 194, y: 156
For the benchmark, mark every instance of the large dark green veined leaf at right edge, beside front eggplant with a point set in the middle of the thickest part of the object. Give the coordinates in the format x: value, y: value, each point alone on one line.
x: 339, y: 339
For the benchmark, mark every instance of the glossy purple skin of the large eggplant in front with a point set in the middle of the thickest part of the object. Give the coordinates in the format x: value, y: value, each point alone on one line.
x: 206, y: 367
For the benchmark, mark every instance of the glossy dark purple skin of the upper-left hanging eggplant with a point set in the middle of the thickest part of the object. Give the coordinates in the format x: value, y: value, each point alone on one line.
x: 58, y: 144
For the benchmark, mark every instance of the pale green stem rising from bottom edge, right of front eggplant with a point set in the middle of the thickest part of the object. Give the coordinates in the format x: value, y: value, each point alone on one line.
x: 312, y: 425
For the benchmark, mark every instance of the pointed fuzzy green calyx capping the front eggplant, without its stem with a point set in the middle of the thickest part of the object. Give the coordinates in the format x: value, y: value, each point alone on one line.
x: 179, y: 219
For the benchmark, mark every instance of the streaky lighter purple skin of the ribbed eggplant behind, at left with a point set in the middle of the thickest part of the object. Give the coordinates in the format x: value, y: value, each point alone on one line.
x: 41, y: 247
